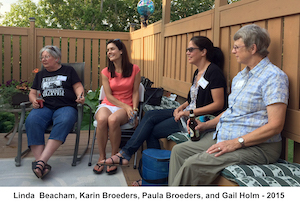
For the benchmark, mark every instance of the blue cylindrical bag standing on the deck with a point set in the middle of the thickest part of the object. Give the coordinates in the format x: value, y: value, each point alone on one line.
x: 154, y: 167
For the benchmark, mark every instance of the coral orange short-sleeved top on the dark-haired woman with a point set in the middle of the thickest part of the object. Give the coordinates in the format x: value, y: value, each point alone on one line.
x: 122, y: 88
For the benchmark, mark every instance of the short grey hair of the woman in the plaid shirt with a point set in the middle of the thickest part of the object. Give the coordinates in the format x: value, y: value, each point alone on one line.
x: 253, y: 34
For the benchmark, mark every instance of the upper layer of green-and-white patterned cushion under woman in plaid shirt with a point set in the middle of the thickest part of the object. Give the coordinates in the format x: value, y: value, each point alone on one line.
x: 272, y: 170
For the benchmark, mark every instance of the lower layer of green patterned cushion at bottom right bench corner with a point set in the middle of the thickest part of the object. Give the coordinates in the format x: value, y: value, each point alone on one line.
x: 251, y: 181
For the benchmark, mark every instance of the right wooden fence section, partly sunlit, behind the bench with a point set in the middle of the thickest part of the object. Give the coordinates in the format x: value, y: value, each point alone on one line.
x: 159, y: 49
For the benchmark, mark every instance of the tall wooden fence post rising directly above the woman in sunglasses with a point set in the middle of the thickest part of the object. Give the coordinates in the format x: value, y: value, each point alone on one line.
x: 216, y: 21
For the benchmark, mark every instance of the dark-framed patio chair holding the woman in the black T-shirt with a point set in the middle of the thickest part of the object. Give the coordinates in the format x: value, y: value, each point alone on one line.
x: 79, y: 68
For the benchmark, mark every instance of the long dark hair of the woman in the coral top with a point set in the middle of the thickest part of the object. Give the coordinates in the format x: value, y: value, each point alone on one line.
x: 127, y: 66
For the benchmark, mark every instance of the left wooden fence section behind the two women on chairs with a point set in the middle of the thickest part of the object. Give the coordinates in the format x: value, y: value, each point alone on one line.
x: 20, y: 50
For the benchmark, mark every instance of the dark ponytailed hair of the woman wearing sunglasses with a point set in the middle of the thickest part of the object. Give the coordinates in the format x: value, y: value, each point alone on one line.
x: 214, y: 54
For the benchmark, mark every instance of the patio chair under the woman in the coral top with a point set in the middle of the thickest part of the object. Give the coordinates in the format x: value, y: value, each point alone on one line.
x: 126, y: 130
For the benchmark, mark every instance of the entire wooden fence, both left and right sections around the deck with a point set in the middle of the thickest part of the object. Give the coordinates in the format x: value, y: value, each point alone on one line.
x: 159, y: 49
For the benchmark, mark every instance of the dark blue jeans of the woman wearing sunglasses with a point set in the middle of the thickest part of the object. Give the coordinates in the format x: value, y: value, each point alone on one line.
x: 154, y: 125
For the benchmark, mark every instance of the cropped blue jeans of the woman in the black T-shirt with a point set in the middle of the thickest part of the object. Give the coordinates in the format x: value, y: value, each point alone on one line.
x: 38, y: 120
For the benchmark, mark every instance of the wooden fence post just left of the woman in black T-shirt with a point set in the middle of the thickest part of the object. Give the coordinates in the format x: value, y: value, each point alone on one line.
x: 31, y: 46
